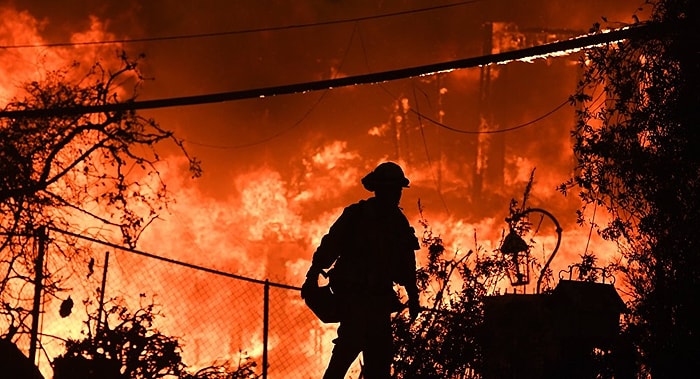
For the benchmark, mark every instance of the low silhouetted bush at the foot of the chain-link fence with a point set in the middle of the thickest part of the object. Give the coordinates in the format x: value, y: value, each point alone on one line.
x: 126, y: 345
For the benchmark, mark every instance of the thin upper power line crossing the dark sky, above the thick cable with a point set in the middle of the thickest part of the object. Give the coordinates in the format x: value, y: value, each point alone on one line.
x: 243, y: 31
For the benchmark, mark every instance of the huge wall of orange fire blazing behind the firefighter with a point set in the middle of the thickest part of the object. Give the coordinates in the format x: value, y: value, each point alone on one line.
x: 259, y: 211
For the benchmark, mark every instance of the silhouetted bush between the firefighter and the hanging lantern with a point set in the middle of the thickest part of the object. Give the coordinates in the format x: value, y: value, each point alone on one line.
x: 443, y: 340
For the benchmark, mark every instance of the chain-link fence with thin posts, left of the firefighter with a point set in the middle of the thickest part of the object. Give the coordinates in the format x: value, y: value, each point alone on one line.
x: 217, y: 317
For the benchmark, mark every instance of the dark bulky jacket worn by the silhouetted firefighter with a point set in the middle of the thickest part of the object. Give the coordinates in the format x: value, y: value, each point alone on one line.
x: 370, y: 247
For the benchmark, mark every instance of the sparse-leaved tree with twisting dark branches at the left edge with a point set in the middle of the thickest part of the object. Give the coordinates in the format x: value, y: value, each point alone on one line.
x: 87, y: 173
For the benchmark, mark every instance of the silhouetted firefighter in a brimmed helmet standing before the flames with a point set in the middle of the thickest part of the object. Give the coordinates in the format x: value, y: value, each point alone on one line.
x: 369, y: 248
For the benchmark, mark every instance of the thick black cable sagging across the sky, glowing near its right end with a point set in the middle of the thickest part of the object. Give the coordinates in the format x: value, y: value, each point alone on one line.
x: 574, y: 44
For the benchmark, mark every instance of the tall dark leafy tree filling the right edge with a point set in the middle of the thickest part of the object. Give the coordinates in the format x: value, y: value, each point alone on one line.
x: 636, y: 139
